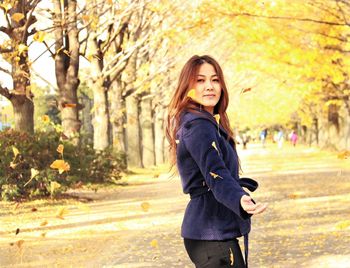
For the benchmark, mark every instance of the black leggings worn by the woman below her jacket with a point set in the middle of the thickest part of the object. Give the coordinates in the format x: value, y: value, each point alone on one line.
x: 214, y: 254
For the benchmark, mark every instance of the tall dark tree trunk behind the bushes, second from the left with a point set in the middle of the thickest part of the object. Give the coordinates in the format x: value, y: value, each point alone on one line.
x: 67, y: 65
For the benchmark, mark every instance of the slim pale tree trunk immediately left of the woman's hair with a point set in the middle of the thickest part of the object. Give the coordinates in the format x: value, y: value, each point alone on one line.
x: 159, y: 135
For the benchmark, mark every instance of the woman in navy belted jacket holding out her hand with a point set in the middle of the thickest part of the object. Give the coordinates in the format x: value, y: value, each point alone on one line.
x: 202, y: 147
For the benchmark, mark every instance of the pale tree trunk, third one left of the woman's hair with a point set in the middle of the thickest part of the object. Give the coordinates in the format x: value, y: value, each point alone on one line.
x: 133, y: 133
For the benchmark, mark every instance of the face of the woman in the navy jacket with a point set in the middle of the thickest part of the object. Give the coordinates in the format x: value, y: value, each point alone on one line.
x: 207, y: 87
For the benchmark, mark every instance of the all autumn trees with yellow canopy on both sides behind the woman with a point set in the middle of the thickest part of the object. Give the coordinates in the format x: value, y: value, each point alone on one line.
x: 296, y: 52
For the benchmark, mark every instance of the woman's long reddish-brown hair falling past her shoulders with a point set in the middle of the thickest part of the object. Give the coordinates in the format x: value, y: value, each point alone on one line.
x: 180, y: 101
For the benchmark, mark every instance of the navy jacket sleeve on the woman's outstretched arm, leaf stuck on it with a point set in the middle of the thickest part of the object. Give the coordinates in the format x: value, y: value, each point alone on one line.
x: 198, y: 139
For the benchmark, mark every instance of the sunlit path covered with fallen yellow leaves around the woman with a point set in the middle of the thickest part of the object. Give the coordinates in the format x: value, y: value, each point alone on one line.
x: 307, y: 223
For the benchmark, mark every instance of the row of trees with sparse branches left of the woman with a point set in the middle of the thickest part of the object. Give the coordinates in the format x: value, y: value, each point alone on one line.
x: 130, y: 47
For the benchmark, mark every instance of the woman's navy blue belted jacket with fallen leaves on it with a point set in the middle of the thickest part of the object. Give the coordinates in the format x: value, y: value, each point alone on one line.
x: 205, y: 158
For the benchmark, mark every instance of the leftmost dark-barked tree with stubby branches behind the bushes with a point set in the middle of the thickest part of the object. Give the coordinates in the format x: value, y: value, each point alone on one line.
x: 19, y: 20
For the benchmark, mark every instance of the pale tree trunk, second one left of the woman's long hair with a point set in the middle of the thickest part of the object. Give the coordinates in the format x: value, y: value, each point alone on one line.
x: 148, y: 154
